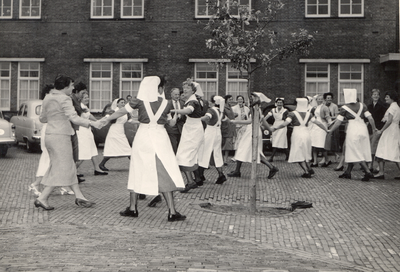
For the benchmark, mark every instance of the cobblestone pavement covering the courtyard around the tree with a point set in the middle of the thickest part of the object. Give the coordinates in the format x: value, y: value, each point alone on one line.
x: 353, y: 225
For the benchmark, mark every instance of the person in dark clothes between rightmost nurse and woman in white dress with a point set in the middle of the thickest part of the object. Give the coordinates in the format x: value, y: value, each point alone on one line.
x: 377, y: 109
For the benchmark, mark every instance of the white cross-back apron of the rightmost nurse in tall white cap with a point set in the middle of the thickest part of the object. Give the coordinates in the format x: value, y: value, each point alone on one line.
x: 358, y: 147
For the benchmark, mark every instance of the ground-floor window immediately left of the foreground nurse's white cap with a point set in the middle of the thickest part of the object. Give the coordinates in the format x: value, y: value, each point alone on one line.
x: 131, y: 75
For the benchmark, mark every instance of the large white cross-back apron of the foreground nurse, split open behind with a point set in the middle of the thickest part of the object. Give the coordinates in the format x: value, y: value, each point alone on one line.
x: 152, y: 140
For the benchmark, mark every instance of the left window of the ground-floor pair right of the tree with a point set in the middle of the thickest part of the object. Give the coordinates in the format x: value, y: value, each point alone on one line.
x: 317, y: 78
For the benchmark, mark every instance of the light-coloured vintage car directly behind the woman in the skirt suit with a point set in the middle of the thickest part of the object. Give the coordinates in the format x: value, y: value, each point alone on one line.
x: 27, y: 124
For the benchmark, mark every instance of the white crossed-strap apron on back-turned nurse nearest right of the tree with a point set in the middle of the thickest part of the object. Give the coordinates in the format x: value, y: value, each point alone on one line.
x: 300, y: 149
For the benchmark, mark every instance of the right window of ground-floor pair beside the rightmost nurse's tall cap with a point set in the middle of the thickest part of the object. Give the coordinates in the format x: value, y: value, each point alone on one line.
x: 351, y: 77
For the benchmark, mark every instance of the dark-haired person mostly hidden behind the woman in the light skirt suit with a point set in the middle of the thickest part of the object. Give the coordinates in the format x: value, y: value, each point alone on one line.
x: 76, y: 96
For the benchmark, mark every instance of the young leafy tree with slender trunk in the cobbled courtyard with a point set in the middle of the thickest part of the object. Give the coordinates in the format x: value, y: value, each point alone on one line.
x: 244, y: 37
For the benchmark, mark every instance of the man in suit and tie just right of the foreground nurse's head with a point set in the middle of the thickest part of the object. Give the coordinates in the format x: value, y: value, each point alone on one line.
x: 175, y: 132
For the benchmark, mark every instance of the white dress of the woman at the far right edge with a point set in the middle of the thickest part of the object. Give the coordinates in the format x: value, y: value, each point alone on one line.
x: 389, y: 145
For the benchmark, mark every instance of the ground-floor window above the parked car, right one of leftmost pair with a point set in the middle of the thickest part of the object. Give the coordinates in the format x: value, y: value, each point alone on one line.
x: 28, y: 81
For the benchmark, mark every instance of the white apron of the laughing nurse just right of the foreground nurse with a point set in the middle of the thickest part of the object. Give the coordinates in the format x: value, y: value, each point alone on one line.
x: 191, y: 140
